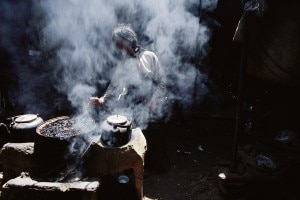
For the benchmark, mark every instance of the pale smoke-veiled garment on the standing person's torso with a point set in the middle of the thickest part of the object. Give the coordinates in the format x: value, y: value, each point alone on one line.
x: 138, y: 84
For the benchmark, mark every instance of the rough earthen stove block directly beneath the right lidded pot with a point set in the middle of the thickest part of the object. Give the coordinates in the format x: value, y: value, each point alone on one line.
x: 101, y: 160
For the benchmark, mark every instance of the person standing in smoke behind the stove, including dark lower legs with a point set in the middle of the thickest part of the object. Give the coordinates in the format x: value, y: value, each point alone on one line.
x: 139, y: 84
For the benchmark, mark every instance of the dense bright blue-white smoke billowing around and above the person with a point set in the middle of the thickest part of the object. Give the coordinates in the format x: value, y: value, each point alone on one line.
x: 81, y: 32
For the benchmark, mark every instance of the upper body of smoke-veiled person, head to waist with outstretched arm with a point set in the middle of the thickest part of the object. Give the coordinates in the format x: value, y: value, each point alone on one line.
x: 141, y: 82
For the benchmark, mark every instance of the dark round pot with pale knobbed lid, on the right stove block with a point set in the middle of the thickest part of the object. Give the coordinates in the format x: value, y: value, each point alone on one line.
x: 116, y: 131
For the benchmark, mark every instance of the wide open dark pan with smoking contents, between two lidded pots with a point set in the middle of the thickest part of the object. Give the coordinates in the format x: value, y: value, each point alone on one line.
x: 58, y: 147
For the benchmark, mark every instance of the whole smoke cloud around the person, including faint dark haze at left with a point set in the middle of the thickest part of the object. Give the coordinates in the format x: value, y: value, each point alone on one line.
x: 75, y: 38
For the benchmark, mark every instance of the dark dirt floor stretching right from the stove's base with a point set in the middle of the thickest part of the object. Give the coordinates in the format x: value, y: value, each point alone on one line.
x: 196, y: 149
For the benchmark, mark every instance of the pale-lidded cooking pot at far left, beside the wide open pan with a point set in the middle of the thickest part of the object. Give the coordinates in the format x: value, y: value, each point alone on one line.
x: 22, y: 127
